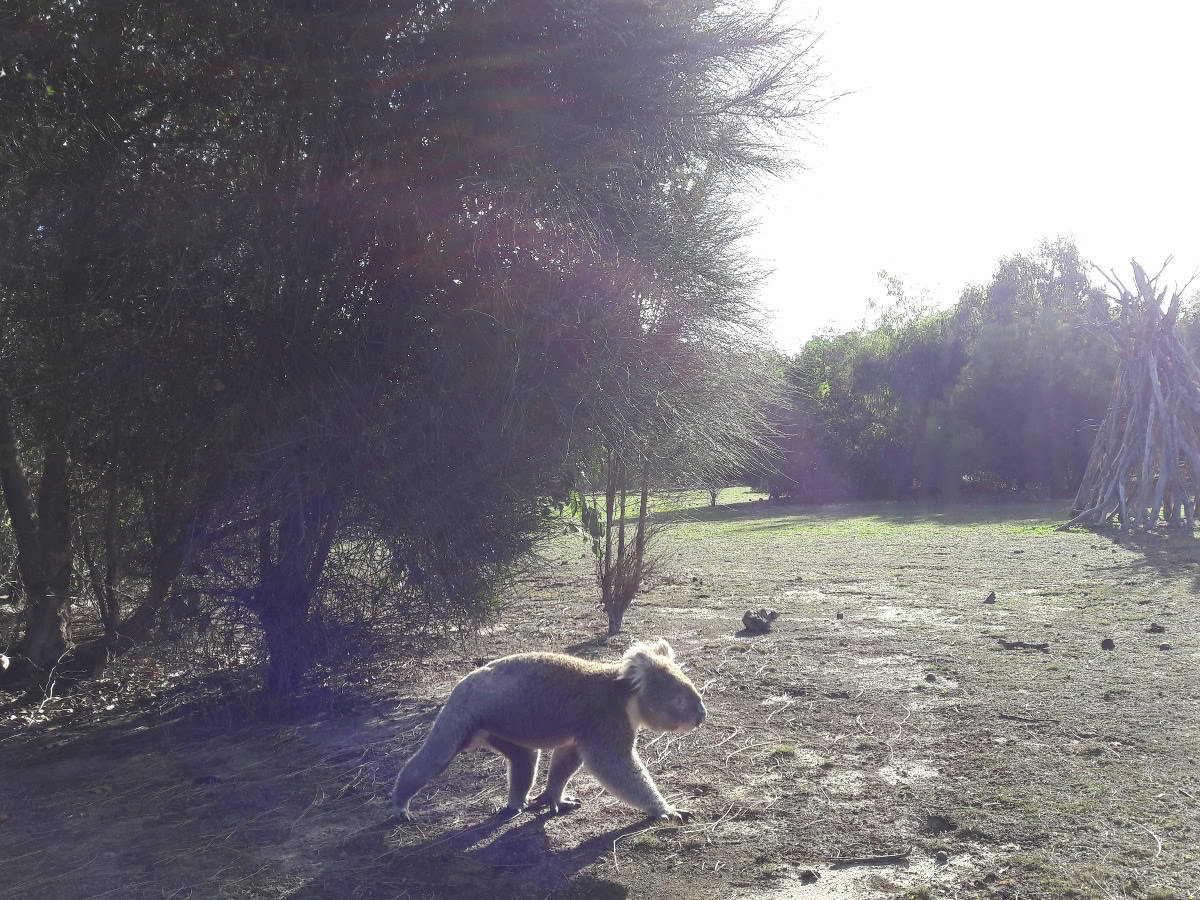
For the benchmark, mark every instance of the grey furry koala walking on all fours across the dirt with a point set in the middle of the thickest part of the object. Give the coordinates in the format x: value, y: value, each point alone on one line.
x: 587, y: 713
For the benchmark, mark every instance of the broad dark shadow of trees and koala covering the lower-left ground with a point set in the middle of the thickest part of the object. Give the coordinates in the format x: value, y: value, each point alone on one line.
x: 199, y: 799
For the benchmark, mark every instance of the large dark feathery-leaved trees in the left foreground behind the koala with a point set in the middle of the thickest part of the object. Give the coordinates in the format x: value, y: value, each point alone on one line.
x: 310, y: 311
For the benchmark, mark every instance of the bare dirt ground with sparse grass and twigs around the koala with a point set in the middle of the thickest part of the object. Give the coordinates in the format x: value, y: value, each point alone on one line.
x: 893, y: 735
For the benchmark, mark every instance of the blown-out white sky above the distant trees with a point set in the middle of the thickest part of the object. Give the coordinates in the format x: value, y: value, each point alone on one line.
x: 974, y: 133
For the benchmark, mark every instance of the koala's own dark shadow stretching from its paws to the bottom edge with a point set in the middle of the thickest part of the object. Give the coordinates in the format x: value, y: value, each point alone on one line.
x: 469, y: 863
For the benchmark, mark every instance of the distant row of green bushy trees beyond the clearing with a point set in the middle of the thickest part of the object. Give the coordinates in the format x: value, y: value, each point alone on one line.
x: 999, y: 395
